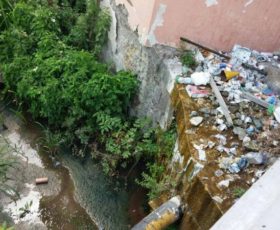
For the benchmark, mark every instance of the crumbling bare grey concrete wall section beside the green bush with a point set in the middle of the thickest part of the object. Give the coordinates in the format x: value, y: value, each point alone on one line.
x: 150, y: 64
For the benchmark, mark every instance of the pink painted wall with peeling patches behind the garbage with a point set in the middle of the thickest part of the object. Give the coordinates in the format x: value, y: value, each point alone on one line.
x: 218, y: 24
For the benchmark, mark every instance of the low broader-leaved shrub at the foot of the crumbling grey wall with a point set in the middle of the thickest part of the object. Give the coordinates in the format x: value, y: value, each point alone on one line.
x: 129, y: 142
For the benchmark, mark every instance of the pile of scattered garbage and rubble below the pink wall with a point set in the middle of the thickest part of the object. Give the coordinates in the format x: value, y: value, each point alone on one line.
x: 244, y: 92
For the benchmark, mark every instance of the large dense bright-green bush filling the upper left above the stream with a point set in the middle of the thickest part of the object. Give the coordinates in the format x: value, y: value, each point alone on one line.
x: 58, y: 81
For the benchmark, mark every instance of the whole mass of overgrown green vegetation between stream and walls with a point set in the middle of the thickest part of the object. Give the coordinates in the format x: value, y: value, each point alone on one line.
x: 50, y: 64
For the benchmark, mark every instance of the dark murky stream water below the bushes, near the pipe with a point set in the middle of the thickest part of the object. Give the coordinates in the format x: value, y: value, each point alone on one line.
x: 88, y: 199
